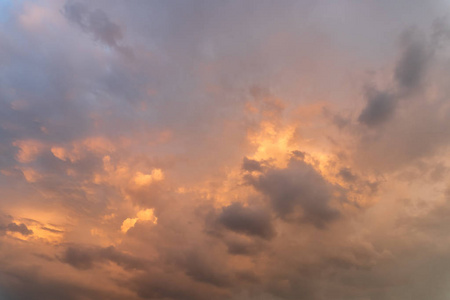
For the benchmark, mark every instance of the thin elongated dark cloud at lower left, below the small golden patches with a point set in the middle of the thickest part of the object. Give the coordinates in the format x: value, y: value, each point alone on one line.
x: 83, y: 258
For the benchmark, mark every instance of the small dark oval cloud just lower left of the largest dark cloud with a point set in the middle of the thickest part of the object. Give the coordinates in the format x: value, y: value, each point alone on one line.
x: 247, y: 220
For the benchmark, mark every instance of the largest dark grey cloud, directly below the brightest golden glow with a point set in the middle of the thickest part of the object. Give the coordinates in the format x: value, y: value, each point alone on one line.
x: 296, y: 187
